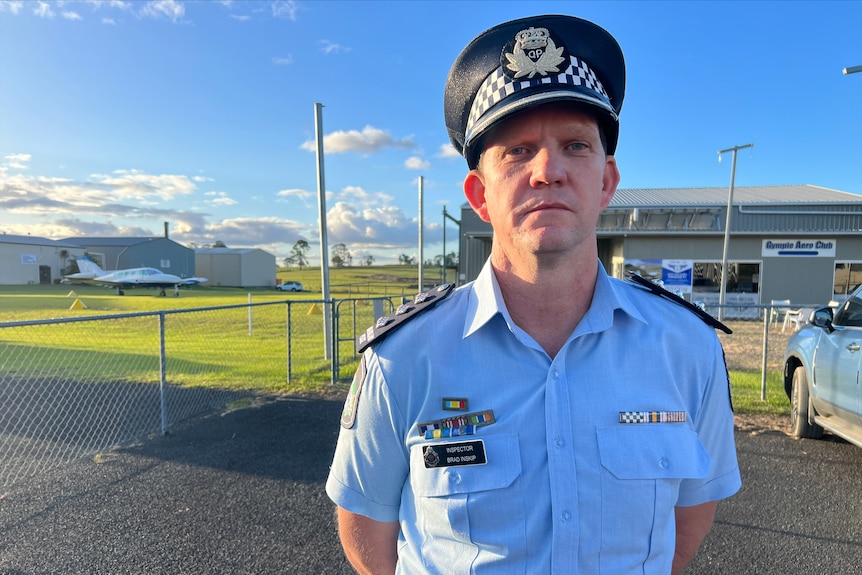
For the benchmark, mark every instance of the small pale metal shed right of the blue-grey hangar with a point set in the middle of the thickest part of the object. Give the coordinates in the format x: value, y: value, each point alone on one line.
x: 241, y: 267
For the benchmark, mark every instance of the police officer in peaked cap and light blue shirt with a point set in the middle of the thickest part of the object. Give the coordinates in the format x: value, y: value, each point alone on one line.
x: 545, y: 418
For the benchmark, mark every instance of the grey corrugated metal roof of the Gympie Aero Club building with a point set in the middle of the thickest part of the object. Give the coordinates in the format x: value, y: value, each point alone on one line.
x: 803, y: 194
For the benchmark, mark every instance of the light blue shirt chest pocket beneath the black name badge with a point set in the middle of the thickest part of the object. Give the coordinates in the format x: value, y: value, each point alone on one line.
x: 464, y: 503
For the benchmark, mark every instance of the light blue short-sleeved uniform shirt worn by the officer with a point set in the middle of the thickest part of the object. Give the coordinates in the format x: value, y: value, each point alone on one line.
x: 566, y: 487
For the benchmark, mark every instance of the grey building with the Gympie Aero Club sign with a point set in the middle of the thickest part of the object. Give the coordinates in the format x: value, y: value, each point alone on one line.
x: 796, y: 242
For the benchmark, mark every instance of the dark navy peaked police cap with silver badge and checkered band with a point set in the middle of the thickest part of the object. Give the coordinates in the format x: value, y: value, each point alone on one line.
x: 532, y: 61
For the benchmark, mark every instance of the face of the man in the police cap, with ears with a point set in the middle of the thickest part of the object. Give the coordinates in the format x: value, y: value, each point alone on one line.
x: 542, y: 181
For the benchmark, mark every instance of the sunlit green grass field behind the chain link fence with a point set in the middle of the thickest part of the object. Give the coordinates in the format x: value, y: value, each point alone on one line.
x: 21, y: 303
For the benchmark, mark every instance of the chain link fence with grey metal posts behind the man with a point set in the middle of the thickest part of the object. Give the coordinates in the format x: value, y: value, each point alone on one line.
x: 75, y: 387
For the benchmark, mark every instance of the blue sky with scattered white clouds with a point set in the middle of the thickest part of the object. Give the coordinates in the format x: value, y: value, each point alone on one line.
x: 117, y: 116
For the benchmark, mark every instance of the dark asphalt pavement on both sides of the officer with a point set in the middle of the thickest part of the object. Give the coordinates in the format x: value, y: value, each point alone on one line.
x: 242, y: 492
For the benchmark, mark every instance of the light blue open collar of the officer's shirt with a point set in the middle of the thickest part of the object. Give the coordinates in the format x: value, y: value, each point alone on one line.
x: 486, y: 301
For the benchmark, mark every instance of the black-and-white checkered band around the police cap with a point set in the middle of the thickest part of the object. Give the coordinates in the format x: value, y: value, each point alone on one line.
x: 498, y: 86
